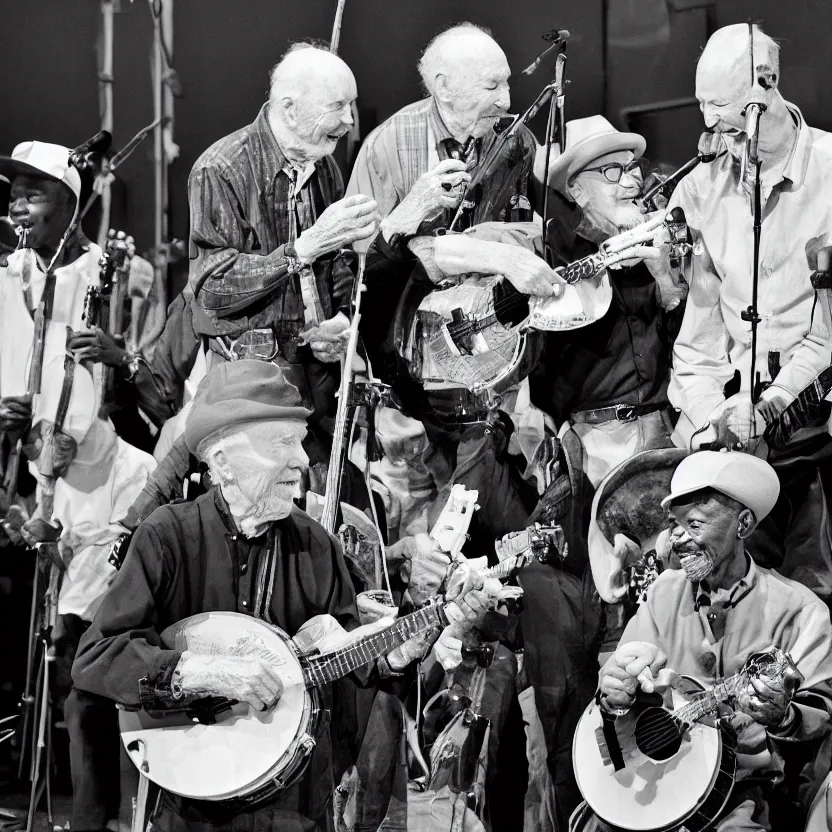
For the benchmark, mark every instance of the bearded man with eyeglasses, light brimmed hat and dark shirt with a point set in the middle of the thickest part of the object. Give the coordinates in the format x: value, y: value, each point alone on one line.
x: 608, y: 381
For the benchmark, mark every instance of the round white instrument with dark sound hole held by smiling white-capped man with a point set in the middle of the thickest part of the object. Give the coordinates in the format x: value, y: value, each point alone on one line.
x: 665, y: 765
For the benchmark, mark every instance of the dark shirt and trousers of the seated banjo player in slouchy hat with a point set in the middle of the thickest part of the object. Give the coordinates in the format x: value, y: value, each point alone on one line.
x: 186, y: 559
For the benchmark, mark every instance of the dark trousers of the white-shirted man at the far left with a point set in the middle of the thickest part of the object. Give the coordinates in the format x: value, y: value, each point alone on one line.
x: 94, y: 743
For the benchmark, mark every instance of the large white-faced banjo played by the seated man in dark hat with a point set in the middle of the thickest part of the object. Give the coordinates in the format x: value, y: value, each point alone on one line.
x: 218, y: 749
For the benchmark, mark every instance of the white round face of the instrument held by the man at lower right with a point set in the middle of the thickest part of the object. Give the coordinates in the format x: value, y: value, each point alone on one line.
x: 648, y: 794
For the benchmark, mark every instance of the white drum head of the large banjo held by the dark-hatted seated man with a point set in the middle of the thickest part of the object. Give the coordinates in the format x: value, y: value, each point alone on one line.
x: 244, y: 747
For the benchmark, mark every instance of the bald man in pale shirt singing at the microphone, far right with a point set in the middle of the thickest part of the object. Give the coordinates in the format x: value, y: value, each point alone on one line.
x: 794, y: 339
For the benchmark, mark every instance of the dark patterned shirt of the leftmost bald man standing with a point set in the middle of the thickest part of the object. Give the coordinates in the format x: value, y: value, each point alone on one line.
x: 244, y: 212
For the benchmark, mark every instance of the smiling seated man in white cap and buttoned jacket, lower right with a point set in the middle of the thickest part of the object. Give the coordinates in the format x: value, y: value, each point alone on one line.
x: 706, y: 619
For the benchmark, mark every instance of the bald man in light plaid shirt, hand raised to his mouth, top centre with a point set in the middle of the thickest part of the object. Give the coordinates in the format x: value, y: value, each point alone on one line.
x: 416, y: 166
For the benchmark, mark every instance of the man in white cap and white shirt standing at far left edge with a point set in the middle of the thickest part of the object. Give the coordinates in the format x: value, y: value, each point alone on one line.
x: 99, y: 473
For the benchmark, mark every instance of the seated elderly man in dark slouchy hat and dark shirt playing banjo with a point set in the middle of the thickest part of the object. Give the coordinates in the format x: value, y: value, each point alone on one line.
x: 246, y: 425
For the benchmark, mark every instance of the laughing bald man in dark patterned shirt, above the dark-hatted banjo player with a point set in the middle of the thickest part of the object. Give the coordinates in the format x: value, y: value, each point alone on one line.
x: 268, y: 225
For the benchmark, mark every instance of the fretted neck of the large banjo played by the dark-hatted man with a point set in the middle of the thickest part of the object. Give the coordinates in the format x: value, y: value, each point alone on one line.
x: 328, y: 667
